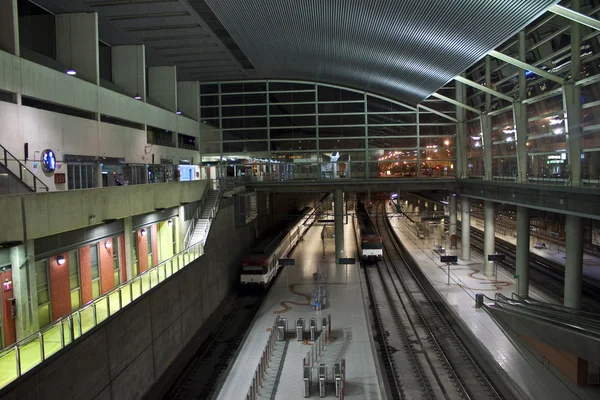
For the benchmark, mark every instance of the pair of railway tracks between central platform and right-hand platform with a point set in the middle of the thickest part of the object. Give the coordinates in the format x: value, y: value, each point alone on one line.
x: 422, y: 355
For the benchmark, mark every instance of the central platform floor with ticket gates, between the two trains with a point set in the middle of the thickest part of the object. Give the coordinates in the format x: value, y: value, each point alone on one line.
x: 289, y: 298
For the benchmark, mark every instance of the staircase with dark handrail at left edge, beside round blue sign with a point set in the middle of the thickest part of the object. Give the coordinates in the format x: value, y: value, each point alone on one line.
x: 15, y: 177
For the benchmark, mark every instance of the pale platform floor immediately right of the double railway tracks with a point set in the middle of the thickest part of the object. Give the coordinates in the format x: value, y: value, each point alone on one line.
x: 533, y: 377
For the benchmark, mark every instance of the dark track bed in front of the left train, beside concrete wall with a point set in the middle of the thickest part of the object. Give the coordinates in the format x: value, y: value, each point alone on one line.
x: 200, y: 377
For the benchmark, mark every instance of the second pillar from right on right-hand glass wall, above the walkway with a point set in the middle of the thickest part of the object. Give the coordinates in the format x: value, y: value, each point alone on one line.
x: 520, y: 117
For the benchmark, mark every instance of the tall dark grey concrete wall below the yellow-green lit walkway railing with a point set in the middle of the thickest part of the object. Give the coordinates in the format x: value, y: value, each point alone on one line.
x: 125, y: 355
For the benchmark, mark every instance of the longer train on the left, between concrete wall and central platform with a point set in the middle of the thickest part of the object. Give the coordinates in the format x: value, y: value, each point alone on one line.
x: 260, y: 267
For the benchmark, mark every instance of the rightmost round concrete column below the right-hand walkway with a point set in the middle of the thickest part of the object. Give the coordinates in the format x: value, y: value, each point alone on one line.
x: 573, y: 261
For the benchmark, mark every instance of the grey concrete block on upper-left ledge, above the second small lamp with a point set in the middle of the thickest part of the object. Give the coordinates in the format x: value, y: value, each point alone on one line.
x: 129, y: 69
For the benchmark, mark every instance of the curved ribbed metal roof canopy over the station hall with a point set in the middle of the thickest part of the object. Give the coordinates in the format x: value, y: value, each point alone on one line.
x: 402, y: 49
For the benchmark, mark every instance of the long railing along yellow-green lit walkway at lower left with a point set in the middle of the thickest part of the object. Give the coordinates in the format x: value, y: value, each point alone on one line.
x: 38, y: 347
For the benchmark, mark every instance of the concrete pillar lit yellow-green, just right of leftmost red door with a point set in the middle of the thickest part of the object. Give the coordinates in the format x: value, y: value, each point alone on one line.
x: 24, y: 289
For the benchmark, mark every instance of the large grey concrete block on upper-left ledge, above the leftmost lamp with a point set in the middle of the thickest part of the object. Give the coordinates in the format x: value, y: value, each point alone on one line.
x: 77, y: 44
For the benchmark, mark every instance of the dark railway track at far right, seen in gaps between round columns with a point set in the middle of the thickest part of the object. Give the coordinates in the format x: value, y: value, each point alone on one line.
x: 546, y: 275
